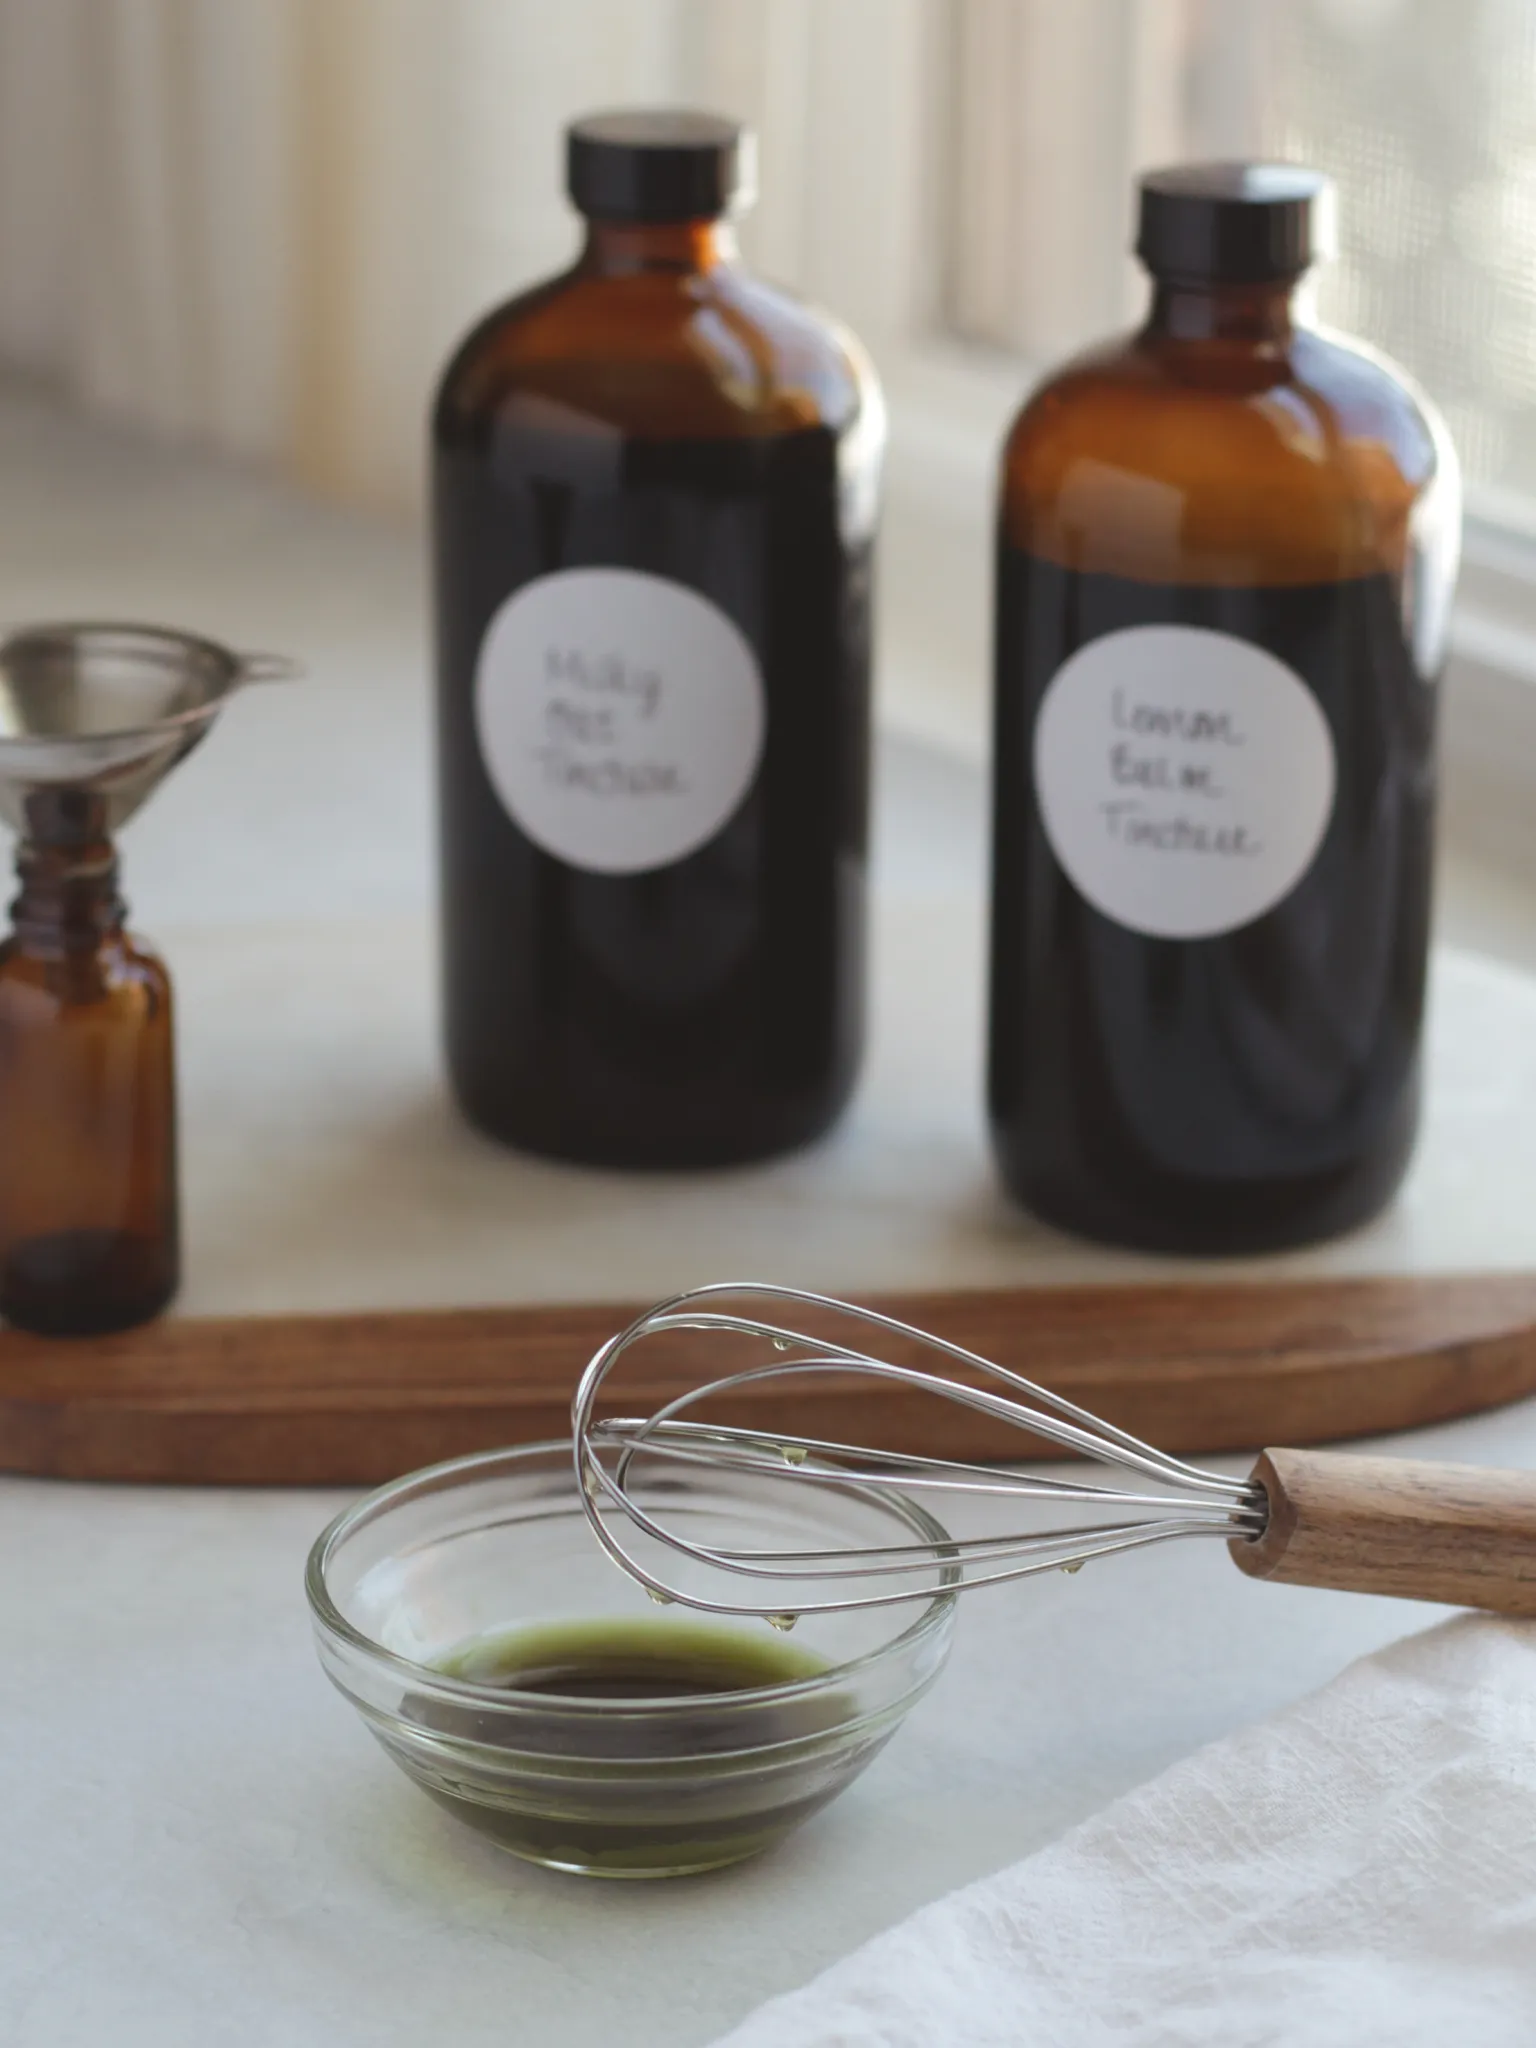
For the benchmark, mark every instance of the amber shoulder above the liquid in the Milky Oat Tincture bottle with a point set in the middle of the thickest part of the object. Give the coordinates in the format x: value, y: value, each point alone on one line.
x: 660, y: 353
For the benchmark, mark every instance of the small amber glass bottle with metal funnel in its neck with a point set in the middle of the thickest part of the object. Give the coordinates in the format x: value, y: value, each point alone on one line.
x: 89, y: 1226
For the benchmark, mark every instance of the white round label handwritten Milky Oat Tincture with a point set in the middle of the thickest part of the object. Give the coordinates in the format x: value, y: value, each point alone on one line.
x: 622, y: 718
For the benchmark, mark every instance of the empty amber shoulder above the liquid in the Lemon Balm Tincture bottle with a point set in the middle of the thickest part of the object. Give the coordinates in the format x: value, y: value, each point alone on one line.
x: 1226, y: 464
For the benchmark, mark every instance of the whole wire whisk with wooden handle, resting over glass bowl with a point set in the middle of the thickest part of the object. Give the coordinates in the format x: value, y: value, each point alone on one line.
x: 1318, y: 1519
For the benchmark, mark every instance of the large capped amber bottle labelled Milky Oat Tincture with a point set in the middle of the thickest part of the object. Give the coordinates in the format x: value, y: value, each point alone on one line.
x: 654, y: 501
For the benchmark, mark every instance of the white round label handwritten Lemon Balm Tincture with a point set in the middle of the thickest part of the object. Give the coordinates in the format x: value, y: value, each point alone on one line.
x: 1185, y: 779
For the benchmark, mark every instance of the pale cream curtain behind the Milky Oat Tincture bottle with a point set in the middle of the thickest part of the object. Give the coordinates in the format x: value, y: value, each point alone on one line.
x: 263, y: 222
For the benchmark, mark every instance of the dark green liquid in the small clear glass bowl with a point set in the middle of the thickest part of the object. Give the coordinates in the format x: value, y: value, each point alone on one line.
x: 693, y: 1785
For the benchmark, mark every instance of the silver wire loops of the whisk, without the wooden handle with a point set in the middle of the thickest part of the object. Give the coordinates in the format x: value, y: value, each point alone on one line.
x: 624, y: 1461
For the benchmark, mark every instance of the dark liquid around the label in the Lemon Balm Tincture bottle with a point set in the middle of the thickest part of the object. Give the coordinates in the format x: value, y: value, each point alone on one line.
x: 1248, y: 1091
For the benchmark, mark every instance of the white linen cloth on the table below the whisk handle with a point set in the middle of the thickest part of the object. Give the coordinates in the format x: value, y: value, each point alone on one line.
x: 1357, y: 1871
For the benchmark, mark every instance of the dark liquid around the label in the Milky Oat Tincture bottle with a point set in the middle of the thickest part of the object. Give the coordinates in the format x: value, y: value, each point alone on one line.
x: 710, y: 1009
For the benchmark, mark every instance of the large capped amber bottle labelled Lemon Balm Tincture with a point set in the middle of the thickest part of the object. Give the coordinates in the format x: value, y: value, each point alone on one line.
x: 1226, y: 560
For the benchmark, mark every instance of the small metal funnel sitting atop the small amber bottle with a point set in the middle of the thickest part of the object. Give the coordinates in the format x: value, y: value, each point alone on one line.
x: 95, y: 716
